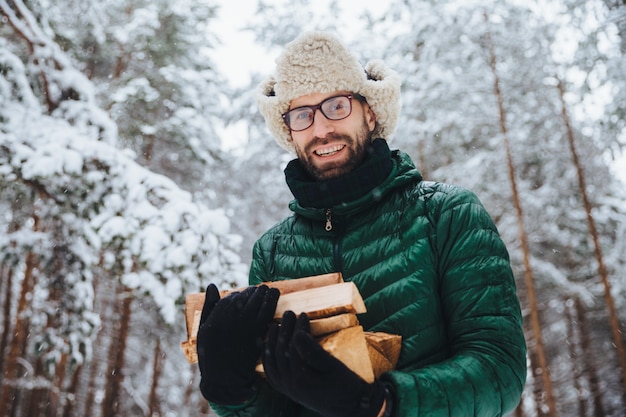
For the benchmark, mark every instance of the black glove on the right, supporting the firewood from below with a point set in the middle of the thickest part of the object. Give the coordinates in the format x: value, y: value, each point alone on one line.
x: 296, y: 365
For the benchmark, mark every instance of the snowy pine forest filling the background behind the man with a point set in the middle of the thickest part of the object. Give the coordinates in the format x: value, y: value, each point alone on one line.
x: 121, y: 191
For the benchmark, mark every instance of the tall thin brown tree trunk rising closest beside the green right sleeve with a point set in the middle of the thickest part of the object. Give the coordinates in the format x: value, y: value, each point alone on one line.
x: 529, y: 279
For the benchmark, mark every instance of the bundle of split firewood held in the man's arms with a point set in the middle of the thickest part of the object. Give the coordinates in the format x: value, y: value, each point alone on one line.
x: 332, y: 306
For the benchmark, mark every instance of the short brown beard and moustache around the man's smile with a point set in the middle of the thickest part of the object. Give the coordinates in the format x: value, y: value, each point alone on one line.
x: 356, y: 149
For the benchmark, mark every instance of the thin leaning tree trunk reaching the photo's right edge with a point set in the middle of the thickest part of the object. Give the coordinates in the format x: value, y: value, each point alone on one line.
x: 602, y: 271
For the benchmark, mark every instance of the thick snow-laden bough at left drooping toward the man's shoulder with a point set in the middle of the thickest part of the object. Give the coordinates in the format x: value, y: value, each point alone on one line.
x: 148, y: 232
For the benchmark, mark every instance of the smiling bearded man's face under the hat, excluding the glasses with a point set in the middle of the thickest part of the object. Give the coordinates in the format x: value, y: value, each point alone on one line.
x: 330, y: 148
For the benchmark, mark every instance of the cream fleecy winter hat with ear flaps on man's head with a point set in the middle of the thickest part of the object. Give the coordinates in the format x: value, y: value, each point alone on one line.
x: 317, y: 62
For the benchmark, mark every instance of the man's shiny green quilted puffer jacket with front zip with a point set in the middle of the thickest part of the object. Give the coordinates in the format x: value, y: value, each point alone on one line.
x: 431, y: 267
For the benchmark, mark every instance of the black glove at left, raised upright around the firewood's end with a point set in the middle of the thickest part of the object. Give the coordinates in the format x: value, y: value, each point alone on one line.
x: 230, y: 342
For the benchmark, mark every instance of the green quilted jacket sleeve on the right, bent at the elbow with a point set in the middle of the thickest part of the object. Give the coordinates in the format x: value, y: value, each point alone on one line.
x: 486, y: 369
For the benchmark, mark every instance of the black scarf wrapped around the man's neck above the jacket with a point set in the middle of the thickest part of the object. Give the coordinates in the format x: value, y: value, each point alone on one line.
x: 355, y: 184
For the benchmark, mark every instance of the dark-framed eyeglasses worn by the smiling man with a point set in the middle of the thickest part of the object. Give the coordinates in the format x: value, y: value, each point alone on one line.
x: 333, y: 108
